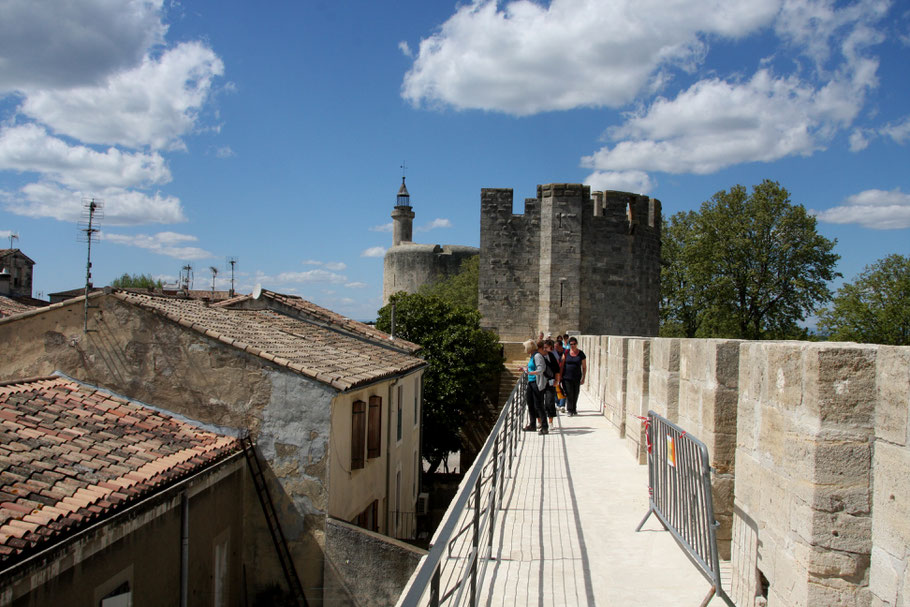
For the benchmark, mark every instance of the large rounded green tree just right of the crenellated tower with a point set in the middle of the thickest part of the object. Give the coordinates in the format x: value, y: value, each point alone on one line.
x: 746, y: 265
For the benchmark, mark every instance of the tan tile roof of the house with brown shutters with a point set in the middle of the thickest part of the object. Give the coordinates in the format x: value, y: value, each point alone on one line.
x: 327, y: 352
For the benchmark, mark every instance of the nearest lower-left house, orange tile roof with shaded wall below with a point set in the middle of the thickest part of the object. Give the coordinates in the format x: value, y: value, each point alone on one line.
x: 99, y: 493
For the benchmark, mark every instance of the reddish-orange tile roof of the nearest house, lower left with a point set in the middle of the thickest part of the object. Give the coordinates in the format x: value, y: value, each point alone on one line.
x: 71, y: 454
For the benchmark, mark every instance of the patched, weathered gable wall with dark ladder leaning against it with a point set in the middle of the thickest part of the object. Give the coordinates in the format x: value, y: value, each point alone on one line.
x: 140, y: 355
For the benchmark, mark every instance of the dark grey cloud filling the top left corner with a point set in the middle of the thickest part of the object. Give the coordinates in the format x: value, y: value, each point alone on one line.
x: 61, y: 44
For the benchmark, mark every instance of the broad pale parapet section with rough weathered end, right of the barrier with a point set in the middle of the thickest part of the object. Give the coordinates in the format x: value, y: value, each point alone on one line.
x: 802, y: 524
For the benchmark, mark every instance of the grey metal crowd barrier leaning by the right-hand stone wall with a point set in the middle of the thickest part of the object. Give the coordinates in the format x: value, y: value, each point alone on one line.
x: 679, y: 483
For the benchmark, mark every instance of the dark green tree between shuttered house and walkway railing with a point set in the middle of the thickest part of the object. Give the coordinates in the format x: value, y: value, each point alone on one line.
x: 462, y: 361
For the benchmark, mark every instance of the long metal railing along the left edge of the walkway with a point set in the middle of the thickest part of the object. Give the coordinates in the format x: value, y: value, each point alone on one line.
x: 453, y: 571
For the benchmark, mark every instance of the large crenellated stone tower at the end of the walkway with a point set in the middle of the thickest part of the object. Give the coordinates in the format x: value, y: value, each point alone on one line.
x: 572, y: 262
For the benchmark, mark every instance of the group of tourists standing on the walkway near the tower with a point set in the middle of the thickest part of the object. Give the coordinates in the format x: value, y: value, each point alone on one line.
x: 556, y: 371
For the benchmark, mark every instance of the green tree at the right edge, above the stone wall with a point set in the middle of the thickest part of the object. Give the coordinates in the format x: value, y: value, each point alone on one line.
x: 875, y: 307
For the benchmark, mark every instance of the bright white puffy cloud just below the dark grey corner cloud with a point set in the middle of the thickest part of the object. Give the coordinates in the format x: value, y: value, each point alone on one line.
x: 152, y: 105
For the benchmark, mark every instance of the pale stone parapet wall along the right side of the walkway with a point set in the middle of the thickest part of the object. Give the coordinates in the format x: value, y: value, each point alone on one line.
x: 816, y: 510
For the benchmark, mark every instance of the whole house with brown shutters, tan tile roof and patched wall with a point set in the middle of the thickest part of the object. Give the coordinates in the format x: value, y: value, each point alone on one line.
x: 313, y: 389
